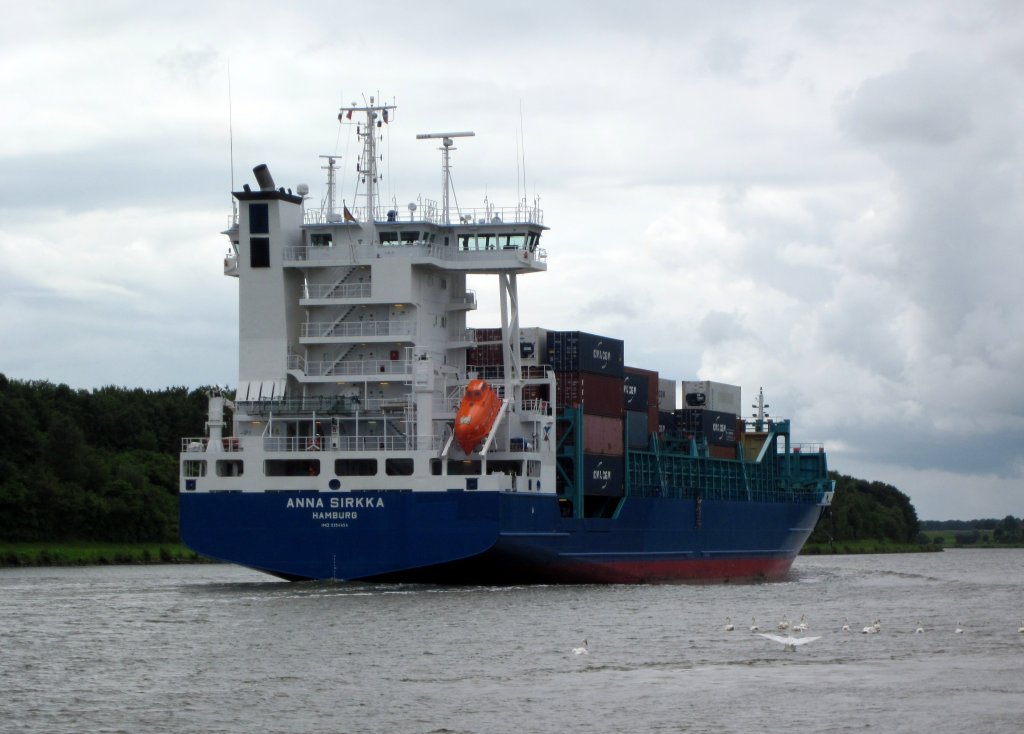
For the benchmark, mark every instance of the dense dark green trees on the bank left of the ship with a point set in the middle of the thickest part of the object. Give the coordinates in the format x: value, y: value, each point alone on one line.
x: 98, y: 465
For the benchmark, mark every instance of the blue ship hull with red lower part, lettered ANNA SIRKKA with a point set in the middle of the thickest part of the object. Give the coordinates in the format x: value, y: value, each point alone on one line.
x: 494, y: 538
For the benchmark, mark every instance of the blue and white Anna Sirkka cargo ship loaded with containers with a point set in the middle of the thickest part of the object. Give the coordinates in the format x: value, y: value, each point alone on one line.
x: 374, y: 436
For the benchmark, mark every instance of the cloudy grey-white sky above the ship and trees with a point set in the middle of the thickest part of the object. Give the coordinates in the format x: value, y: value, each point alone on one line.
x: 824, y: 200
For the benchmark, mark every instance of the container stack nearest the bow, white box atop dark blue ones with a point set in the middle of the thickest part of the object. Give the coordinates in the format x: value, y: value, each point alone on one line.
x: 711, y: 412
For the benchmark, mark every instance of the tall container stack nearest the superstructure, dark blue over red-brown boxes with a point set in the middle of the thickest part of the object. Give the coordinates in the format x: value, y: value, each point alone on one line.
x: 589, y: 374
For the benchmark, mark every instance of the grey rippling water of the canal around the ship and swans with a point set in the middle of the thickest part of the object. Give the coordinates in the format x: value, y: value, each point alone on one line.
x: 222, y: 650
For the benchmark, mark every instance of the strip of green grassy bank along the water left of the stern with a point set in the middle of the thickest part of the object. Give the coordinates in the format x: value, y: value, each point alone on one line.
x: 74, y: 553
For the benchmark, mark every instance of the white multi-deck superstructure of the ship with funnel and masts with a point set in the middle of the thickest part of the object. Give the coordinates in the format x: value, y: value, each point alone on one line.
x: 354, y: 338
